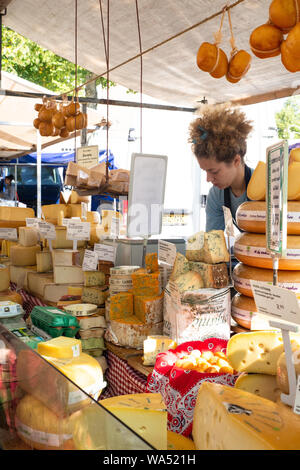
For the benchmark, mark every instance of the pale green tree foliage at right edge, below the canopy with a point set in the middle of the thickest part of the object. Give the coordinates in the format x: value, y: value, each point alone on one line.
x: 288, y: 119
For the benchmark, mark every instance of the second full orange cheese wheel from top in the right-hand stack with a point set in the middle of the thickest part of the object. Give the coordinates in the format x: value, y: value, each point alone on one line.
x: 250, y: 248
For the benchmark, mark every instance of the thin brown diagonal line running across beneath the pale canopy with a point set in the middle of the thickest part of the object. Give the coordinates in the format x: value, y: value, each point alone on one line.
x: 150, y: 49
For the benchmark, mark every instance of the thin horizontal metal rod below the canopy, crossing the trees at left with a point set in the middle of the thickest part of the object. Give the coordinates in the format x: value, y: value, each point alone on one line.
x: 132, y: 104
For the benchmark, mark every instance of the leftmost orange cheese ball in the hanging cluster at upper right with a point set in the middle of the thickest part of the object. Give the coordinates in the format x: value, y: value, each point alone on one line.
x: 265, y: 41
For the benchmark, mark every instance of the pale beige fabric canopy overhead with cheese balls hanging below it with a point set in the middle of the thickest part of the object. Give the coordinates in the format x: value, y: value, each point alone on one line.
x: 169, y: 70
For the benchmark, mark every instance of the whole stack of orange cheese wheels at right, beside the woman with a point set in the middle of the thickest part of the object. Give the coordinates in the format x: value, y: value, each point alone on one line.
x: 250, y: 246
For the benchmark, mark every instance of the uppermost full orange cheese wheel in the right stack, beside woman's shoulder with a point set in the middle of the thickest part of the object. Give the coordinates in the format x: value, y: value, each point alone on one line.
x: 251, y: 217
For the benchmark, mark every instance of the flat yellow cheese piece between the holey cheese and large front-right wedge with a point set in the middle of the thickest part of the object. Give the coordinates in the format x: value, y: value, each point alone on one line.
x: 262, y: 385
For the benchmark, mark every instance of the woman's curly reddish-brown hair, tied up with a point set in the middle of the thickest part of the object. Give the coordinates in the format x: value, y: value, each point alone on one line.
x: 221, y: 132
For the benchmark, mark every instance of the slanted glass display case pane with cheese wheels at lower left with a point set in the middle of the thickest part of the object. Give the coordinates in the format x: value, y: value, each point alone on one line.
x: 40, y: 408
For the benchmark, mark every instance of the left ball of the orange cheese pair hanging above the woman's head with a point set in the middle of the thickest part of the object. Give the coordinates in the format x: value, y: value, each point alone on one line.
x: 211, y: 60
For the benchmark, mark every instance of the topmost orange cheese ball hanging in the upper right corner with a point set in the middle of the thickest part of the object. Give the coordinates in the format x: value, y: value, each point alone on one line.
x: 284, y: 13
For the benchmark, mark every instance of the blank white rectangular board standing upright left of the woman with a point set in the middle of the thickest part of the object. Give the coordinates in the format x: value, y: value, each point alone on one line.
x: 146, y: 194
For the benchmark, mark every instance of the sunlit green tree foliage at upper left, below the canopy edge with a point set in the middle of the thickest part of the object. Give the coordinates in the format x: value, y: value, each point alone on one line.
x: 28, y: 60
